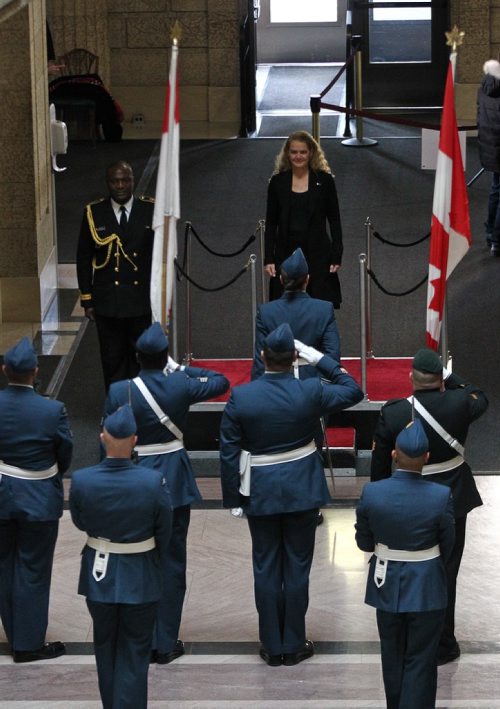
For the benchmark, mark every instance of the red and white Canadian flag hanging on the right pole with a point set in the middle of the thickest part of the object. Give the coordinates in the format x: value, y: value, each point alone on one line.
x: 450, y: 229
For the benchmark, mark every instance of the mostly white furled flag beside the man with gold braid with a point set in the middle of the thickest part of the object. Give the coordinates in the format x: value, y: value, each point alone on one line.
x: 167, y: 203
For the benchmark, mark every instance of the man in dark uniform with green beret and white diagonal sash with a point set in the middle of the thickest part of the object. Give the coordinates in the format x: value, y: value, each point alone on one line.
x: 447, y: 405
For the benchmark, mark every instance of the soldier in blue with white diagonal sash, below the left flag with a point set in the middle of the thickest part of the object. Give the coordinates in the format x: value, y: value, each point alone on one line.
x: 161, y: 405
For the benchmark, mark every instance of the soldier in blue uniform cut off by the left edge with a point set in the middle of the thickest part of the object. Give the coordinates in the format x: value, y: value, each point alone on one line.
x: 35, y: 451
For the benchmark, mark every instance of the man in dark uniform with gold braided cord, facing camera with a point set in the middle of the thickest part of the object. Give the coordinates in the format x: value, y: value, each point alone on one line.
x: 113, y: 263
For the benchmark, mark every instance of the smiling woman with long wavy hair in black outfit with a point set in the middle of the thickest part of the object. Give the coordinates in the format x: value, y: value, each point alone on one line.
x: 303, y: 211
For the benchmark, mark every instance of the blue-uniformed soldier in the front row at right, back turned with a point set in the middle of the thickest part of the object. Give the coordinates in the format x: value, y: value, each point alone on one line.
x: 408, y: 523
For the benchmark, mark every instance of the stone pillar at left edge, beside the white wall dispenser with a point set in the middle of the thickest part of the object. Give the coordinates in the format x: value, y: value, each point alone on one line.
x: 28, y: 255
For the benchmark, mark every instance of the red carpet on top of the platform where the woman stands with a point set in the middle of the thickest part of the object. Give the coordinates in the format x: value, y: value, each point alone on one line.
x: 387, y: 378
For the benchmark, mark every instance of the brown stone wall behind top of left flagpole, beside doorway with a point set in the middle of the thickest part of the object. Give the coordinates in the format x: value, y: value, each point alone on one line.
x: 140, y: 42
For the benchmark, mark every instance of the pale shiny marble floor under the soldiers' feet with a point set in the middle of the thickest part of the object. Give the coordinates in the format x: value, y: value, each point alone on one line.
x: 221, y: 667
